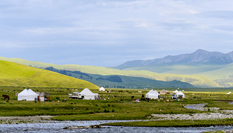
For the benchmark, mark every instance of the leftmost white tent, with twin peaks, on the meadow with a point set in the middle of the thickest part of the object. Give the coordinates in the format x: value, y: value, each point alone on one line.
x: 27, y: 95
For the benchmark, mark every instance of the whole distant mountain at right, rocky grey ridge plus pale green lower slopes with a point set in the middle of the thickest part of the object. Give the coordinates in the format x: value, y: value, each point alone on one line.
x: 214, y: 65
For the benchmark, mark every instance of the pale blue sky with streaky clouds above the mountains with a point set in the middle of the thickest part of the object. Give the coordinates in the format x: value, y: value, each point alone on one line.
x: 110, y: 32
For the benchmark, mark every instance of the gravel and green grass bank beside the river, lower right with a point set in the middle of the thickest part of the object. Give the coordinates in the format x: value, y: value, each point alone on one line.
x: 222, y: 118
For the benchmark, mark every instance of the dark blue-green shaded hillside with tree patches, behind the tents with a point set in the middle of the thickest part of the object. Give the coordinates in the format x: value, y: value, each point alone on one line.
x: 118, y: 81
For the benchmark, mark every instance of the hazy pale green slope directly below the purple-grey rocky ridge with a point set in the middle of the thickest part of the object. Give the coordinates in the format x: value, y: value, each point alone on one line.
x: 221, y: 74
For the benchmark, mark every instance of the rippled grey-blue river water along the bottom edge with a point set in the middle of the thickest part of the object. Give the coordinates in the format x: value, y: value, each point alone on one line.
x: 57, y: 127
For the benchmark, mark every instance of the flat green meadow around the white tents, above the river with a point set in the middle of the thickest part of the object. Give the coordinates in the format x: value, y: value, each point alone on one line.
x: 120, y: 105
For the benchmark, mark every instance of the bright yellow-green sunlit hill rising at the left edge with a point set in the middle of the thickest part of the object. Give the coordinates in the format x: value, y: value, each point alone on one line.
x: 14, y: 74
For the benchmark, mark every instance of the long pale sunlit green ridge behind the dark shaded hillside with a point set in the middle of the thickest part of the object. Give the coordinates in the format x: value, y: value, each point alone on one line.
x: 196, y: 80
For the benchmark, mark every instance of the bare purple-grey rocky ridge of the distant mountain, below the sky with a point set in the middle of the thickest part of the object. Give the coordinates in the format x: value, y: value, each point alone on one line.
x: 198, y: 57
